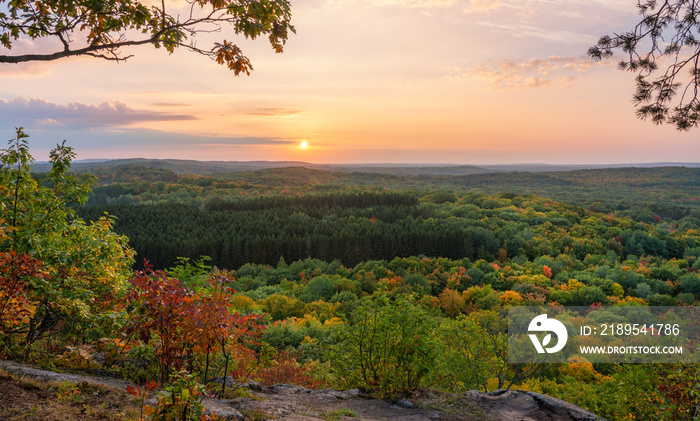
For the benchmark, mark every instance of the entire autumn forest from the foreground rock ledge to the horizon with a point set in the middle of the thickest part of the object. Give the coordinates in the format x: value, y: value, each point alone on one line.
x: 389, y: 284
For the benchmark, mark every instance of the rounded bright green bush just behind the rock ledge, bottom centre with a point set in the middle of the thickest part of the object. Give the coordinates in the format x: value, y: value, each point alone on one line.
x: 386, y: 347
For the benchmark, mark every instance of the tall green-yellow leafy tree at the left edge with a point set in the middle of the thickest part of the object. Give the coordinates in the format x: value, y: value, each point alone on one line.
x: 84, y: 266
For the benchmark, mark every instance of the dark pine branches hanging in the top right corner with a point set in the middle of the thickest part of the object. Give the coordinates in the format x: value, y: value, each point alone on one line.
x: 664, y: 50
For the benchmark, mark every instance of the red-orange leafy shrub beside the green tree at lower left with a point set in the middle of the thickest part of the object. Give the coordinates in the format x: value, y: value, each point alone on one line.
x: 171, y: 317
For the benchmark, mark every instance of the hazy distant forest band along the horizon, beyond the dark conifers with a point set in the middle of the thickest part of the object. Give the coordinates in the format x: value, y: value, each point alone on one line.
x: 643, y: 194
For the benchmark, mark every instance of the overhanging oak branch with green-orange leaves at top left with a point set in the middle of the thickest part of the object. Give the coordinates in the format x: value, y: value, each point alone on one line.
x: 104, y: 28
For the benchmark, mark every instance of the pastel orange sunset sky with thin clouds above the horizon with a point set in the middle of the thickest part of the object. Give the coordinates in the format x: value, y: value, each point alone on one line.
x: 363, y: 81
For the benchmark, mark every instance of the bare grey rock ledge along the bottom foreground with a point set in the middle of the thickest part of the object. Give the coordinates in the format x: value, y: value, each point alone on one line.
x: 294, y: 403
